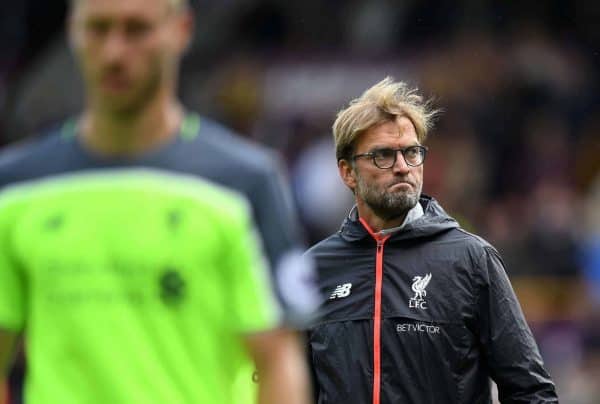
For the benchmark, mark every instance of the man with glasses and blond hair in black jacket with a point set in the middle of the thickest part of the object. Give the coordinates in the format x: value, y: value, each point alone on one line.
x: 417, y: 310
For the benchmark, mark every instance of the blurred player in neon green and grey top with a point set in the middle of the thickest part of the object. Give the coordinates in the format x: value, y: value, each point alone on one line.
x: 132, y: 274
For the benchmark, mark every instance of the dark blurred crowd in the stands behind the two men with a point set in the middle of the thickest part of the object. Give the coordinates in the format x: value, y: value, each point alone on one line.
x: 515, y: 155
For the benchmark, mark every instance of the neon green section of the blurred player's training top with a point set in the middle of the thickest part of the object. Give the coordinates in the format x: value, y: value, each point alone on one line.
x: 131, y: 286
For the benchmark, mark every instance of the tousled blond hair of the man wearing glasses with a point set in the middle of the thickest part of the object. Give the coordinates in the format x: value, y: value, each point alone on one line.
x: 385, y: 102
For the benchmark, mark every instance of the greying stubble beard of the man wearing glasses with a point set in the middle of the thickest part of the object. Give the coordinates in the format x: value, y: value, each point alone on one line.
x: 385, y: 204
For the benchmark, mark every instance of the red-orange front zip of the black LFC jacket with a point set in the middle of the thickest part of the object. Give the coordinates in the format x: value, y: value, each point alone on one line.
x: 380, y: 239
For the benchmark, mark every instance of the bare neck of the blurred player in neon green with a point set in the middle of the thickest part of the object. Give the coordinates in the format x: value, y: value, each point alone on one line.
x: 122, y: 135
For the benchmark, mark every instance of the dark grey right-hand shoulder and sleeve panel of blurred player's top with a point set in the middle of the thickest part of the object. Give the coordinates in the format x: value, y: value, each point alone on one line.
x: 221, y: 156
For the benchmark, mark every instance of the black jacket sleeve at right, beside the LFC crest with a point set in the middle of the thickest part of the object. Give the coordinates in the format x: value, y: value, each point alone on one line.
x: 509, y: 347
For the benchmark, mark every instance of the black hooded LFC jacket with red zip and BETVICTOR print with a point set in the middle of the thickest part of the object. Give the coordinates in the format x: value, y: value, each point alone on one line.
x: 431, y: 323
